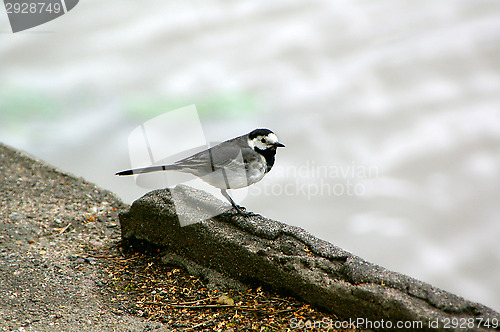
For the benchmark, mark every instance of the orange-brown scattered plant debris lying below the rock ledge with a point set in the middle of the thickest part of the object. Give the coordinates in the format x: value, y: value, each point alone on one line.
x: 144, y: 286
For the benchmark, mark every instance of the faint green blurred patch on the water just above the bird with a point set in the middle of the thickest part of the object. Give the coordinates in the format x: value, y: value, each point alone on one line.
x: 210, y: 107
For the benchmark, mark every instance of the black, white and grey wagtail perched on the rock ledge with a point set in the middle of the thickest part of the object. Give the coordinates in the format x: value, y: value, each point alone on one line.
x: 233, y: 164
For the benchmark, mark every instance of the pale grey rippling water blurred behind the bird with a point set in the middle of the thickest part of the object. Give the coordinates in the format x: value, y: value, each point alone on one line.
x: 398, y: 100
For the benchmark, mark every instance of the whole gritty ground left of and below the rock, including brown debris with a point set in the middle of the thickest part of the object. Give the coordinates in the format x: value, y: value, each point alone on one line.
x: 63, y: 267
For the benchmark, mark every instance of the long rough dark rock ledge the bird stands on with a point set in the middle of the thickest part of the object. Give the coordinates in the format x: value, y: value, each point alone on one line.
x: 254, y: 249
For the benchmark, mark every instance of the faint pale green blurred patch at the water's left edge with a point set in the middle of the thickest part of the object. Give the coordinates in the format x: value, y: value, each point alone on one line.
x: 20, y: 104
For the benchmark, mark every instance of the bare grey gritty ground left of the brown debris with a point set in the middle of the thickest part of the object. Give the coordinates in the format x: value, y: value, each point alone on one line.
x: 48, y: 222
